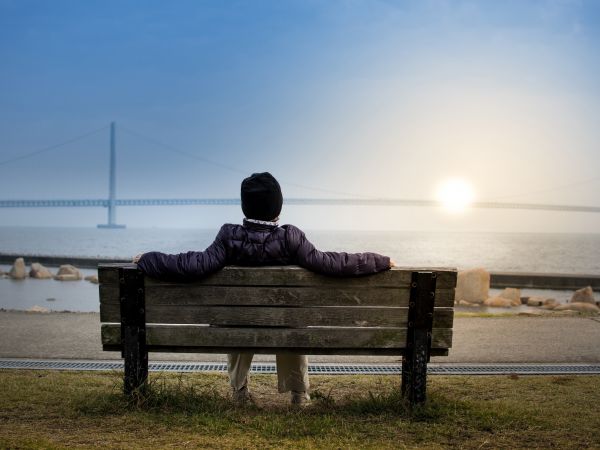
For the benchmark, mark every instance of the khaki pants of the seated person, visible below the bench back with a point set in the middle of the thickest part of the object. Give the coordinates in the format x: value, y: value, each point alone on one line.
x: 292, y: 371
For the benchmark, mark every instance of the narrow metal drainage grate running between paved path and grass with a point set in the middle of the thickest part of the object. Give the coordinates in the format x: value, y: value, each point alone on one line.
x: 316, y: 369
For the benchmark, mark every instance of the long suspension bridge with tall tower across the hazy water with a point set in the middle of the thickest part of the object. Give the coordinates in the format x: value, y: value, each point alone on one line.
x: 112, y: 202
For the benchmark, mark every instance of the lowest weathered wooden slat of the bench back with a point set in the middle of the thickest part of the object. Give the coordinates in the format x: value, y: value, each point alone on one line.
x: 275, y: 338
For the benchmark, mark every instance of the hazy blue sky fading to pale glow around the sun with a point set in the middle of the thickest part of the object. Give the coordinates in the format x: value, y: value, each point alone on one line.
x: 354, y: 98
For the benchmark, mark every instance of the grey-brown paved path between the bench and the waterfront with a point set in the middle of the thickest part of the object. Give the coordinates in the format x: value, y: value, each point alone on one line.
x: 476, y: 340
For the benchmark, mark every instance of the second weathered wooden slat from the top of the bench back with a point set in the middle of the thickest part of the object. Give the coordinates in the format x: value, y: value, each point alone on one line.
x: 198, y: 294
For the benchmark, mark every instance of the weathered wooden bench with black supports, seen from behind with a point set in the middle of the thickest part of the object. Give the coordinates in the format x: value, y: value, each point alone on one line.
x: 406, y: 312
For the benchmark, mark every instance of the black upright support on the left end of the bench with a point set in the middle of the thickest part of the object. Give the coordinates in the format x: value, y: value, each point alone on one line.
x: 133, y: 328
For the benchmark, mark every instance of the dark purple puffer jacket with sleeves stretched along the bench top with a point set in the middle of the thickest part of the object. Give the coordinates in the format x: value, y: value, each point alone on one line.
x: 251, y: 244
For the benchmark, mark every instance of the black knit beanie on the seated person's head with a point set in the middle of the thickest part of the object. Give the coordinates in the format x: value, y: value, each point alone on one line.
x: 261, y: 197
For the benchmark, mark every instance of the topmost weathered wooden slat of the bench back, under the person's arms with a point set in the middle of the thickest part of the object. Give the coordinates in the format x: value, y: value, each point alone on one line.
x: 293, y: 276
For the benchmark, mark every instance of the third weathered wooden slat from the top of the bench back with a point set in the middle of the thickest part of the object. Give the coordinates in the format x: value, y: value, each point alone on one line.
x: 298, y: 317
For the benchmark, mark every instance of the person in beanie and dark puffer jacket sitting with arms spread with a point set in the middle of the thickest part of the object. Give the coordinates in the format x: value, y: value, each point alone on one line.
x: 260, y: 241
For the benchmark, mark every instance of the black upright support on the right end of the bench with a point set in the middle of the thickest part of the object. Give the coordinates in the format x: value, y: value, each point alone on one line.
x: 418, y: 336
